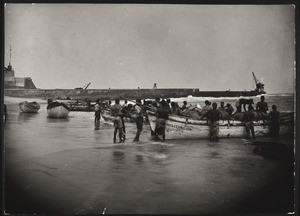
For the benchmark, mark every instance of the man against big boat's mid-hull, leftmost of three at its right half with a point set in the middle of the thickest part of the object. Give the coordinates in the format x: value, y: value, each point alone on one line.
x: 213, y: 116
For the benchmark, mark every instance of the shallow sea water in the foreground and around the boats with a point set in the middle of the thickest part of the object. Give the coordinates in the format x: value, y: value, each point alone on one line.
x: 66, y: 166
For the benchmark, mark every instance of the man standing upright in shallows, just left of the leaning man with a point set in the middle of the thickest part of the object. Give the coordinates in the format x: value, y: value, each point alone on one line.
x: 116, y: 112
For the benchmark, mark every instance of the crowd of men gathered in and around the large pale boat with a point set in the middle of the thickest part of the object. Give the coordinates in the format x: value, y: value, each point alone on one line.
x: 163, y: 108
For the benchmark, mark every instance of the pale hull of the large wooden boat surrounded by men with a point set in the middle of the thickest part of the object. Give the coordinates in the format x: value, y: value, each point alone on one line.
x: 180, y: 127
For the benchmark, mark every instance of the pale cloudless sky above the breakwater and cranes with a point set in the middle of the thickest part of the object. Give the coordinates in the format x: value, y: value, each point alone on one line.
x: 210, y: 47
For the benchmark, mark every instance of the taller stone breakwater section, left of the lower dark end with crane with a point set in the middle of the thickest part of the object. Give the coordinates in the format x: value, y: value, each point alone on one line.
x: 103, y: 94
